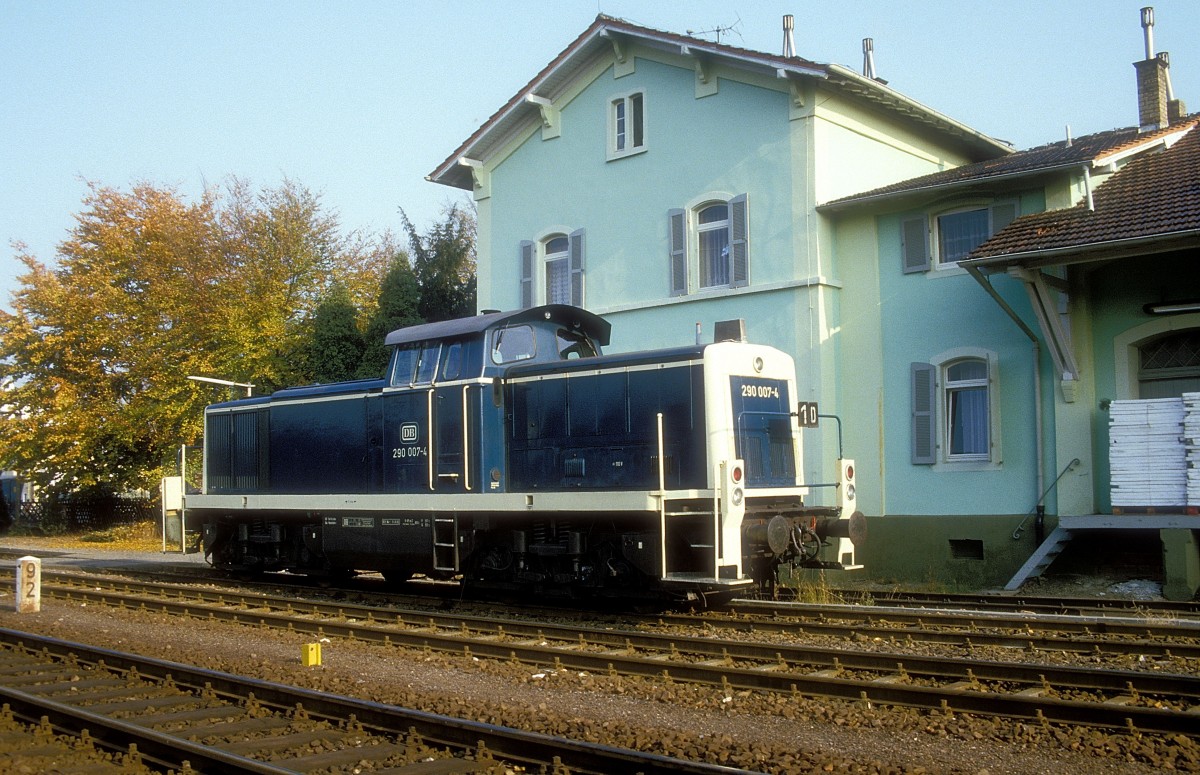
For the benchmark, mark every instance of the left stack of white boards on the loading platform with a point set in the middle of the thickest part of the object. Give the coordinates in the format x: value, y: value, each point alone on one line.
x: 1148, y: 458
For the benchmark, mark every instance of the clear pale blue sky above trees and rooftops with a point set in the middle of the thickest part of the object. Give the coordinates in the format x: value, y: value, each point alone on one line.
x: 361, y: 100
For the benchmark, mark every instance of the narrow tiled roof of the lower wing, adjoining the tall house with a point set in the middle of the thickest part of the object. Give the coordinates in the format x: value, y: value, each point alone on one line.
x: 1063, y: 154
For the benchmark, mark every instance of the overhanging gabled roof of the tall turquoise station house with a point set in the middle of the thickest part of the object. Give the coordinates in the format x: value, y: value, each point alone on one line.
x: 598, y: 41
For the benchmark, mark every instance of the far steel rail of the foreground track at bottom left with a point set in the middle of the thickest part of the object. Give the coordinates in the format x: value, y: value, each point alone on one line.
x: 509, y: 744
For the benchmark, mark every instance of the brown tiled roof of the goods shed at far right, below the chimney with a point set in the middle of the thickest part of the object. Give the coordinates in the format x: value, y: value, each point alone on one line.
x: 1155, y: 196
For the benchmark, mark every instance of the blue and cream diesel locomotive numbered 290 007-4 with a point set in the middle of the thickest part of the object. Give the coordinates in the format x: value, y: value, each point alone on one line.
x: 508, y: 452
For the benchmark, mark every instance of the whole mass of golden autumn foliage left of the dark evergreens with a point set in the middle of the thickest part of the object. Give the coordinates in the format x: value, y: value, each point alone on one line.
x: 148, y: 291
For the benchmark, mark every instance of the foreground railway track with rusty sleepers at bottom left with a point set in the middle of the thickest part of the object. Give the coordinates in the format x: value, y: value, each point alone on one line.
x: 173, y: 717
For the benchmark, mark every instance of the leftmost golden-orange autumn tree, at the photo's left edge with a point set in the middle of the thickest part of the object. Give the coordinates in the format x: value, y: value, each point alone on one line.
x: 95, y: 355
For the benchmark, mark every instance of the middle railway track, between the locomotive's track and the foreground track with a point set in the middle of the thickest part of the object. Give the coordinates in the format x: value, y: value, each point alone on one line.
x: 1147, y: 701
